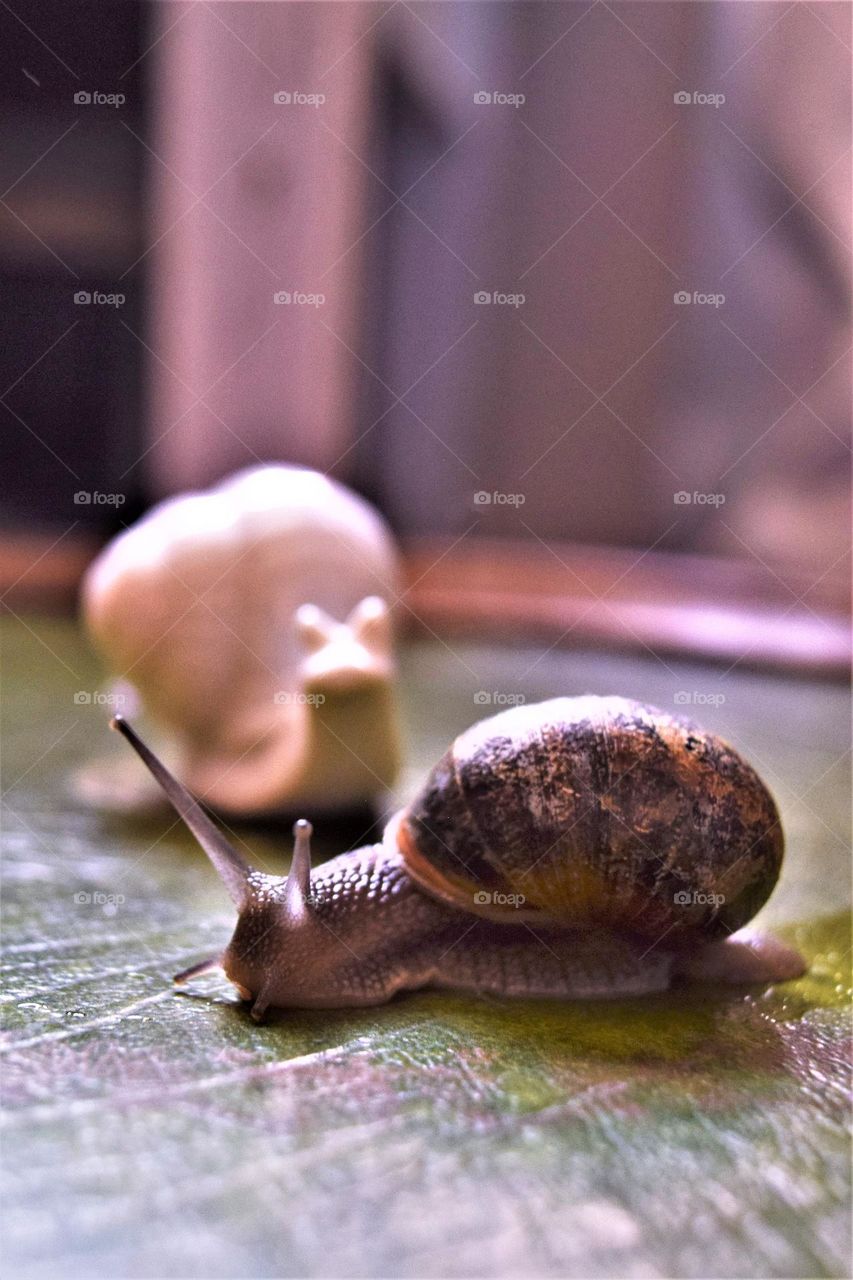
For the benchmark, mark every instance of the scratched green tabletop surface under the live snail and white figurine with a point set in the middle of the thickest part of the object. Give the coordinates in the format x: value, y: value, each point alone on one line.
x: 149, y: 1133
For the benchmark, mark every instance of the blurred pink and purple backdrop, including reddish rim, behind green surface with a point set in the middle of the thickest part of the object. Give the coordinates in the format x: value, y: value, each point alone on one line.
x: 564, y: 289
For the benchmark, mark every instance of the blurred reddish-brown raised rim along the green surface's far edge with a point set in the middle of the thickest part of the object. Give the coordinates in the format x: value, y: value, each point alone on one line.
x: 574, y: 597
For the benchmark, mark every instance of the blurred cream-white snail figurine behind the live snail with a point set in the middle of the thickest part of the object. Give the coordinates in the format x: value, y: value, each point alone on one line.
x: 252, y: 621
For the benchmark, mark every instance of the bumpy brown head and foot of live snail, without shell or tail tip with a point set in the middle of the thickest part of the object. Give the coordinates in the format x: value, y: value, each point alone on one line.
x: 372, y: 932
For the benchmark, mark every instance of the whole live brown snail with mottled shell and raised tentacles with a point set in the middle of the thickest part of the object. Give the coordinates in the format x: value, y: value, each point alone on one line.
x: 577, y: 848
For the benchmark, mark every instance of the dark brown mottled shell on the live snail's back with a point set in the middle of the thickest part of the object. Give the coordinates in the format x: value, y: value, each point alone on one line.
x: 596, y: 811
